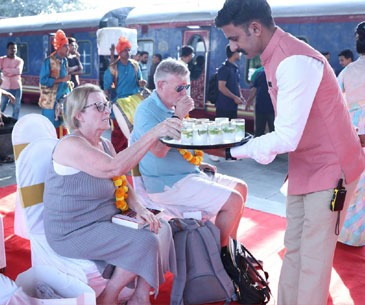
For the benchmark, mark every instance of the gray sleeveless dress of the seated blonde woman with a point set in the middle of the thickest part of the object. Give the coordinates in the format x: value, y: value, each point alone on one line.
x: 77, y: 221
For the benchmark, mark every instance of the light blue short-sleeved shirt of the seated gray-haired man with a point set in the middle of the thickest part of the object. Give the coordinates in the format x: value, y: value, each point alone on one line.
x: 158, y: 172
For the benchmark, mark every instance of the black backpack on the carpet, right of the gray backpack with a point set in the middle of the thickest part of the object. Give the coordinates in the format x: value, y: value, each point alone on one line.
x: 244, y: 270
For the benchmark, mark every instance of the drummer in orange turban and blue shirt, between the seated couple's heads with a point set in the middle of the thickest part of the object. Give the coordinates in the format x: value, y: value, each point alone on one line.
x: 123, y: 74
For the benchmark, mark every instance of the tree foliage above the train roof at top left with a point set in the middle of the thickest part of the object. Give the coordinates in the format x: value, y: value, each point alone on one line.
x: 17, y: 8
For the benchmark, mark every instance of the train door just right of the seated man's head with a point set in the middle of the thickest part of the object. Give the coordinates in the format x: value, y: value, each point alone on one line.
x: 199, y: 40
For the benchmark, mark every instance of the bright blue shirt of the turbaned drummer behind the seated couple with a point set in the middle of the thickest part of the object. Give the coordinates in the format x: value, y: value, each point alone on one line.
x: 126, y: 83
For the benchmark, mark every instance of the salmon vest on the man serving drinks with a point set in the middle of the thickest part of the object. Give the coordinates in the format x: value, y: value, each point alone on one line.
x: 329, y: 144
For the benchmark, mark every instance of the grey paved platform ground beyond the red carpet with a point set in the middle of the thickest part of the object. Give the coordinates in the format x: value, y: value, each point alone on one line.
x: 264, y: 181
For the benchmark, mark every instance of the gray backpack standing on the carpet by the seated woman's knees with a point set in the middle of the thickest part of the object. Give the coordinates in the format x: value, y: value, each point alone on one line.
x: 201, y: 277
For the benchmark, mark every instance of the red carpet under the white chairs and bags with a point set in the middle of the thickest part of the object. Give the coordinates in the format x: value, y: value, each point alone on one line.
x: 262, y: 233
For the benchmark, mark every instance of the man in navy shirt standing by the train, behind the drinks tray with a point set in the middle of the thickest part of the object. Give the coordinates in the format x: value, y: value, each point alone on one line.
x: 230, y: 95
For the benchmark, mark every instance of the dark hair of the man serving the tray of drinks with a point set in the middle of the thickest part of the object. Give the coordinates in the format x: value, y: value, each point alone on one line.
x: 242, y: 12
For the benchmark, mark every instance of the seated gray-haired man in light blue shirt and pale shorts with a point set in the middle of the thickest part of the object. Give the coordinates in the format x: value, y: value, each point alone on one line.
x: 170, y: 180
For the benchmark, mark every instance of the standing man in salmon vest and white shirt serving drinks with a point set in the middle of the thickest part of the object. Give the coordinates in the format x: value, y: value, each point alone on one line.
x: 313, y: 125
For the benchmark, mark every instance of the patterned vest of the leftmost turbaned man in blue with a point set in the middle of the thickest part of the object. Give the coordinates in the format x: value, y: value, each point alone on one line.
x: 48, y: 94
